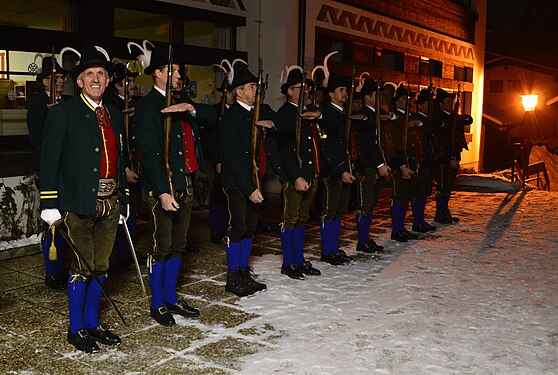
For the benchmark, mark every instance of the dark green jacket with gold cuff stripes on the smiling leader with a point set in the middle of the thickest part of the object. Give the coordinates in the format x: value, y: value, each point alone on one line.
x: 71, y: 157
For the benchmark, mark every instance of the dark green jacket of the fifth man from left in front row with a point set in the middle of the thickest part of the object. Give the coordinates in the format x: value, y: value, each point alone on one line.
x: 333, y: 122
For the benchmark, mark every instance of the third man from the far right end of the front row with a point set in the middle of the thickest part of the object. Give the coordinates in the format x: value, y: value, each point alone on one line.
x: 403, y: 180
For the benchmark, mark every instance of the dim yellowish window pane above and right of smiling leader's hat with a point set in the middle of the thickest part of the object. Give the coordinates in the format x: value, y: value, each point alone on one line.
x: 135, y: 24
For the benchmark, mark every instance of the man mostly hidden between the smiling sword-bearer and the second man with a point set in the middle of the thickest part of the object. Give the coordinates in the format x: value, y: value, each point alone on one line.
x: 116, y: 96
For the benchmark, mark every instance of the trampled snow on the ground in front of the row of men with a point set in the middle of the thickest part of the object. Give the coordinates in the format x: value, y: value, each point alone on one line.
x: 478, y: 297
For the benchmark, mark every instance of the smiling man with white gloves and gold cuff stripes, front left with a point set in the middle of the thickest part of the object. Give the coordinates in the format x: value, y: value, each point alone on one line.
x: 83, y: 183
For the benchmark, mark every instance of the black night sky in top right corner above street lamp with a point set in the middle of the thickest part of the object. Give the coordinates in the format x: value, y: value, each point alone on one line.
x: 527, y: 30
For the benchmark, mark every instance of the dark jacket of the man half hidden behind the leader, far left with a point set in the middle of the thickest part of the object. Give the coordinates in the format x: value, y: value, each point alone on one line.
x: 37, y: 112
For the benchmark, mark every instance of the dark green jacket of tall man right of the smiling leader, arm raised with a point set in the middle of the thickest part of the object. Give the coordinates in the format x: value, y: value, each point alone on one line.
x: 148, y: 122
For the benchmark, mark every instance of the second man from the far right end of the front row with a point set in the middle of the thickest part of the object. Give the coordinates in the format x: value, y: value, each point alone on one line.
x: 425, y: 155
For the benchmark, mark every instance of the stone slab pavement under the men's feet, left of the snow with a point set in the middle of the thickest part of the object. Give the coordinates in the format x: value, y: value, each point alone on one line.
x: 33, y: 319
